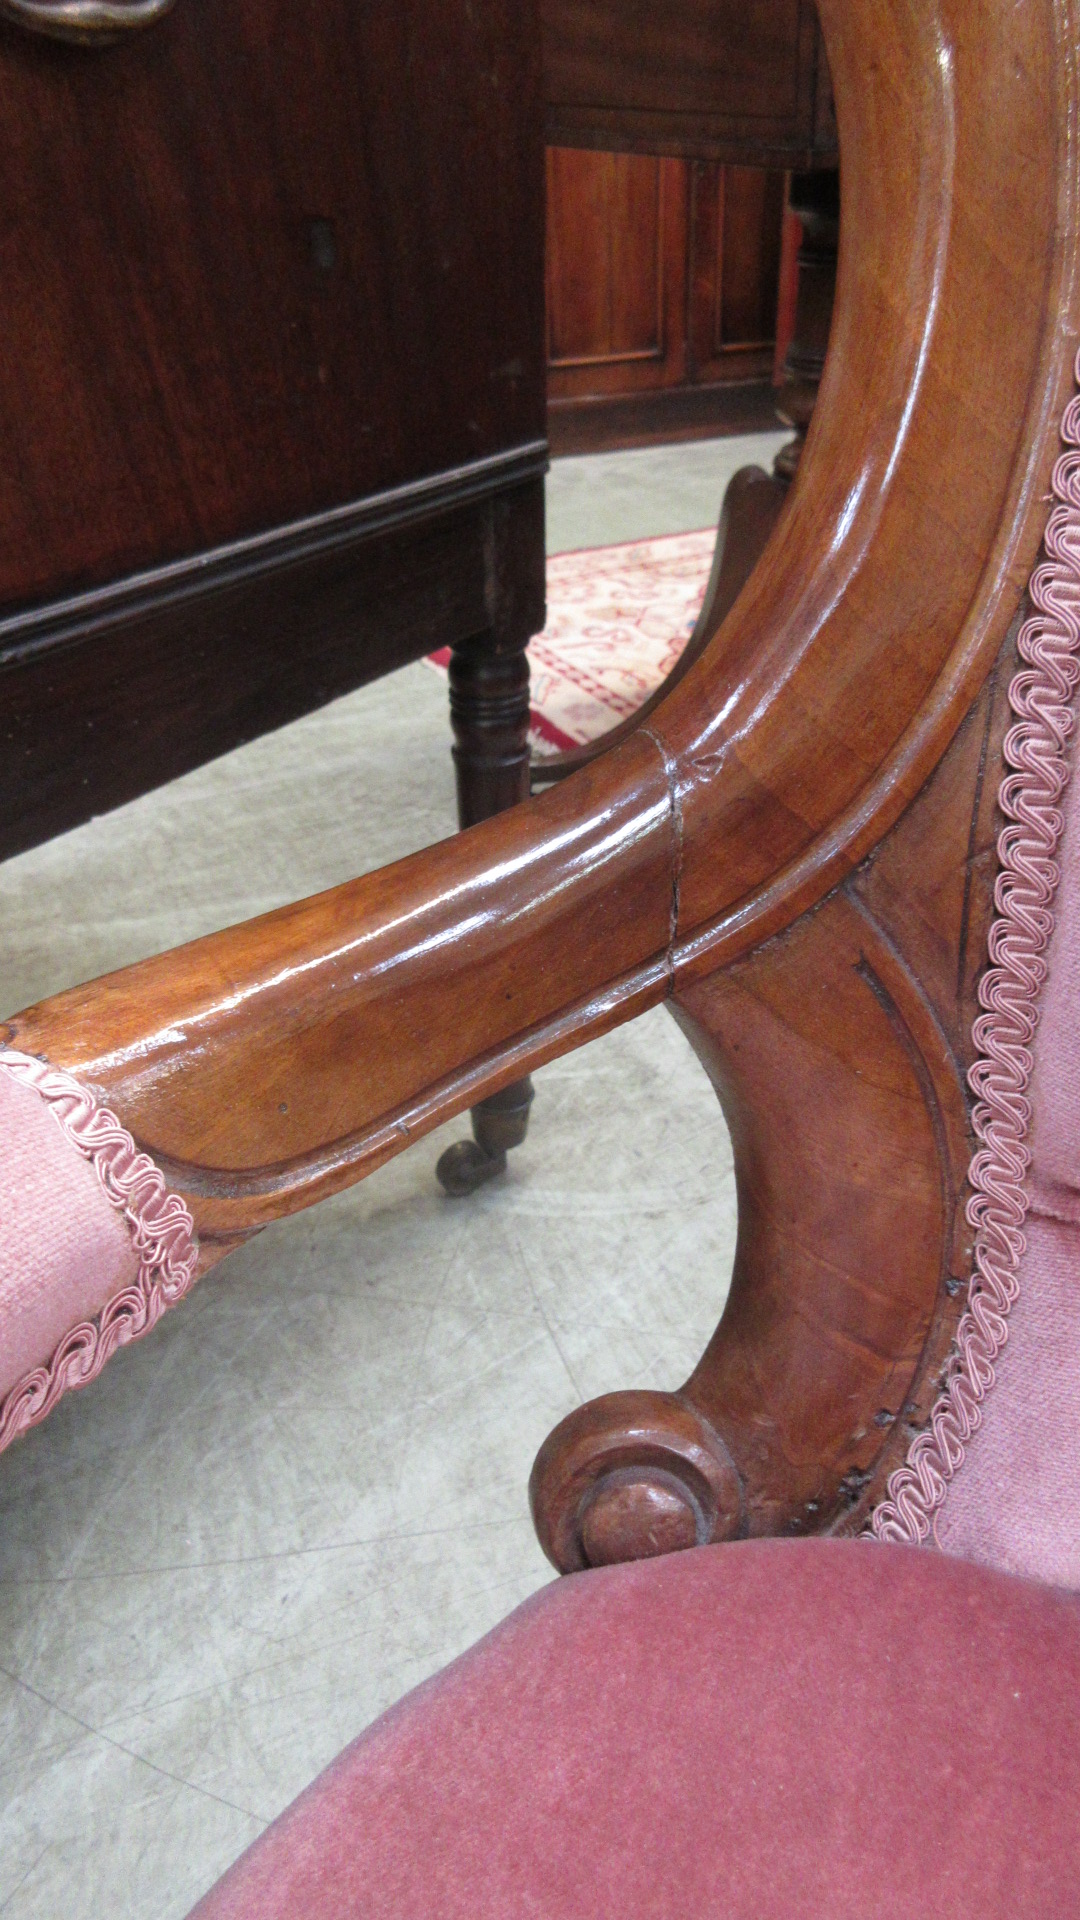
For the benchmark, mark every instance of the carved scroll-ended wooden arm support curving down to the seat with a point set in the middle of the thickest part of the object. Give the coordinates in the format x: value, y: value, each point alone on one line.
x: 839, y: 1053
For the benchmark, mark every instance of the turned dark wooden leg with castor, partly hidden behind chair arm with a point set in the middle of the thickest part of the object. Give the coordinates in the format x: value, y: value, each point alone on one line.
x: 489, y: 711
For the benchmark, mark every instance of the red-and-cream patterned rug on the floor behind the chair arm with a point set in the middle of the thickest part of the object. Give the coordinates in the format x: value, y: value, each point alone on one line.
x: 618, y: 621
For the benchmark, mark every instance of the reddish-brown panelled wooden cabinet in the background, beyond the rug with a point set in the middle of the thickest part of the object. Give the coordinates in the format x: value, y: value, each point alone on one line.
x: 662, y: 281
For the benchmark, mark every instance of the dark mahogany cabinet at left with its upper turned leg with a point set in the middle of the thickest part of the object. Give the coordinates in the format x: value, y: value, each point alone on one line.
x: 272, y: 383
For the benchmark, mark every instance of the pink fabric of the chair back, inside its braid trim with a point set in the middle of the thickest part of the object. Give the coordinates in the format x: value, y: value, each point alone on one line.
x: 1016, y: 1500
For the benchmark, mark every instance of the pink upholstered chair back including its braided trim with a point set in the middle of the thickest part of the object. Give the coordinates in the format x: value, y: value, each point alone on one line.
x: 996, y: 1477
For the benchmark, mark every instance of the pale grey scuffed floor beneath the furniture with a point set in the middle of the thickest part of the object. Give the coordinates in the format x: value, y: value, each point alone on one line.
x: 307, y: 1489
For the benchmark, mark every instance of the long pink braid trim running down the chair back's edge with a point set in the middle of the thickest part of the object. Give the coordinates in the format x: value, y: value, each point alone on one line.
x: 1037, y: 752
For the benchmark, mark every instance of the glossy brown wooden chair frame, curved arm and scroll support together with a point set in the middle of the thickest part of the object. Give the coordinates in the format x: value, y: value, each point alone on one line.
x: 795, y: 852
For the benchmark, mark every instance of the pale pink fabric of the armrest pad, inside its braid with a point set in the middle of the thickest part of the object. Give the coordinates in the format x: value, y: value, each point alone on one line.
x: 64, y: 1251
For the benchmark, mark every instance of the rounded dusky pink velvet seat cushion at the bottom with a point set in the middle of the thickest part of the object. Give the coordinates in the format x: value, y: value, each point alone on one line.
x: 747, y: 1733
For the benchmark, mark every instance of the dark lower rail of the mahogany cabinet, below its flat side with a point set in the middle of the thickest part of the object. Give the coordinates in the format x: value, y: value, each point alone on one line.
x: 114, y: 692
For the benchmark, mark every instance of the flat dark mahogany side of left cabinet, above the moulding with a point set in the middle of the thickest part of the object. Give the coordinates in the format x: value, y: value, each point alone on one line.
x: 214, y: 231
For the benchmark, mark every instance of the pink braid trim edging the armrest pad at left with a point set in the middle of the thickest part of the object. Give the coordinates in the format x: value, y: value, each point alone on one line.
x: 160, y: 1228
